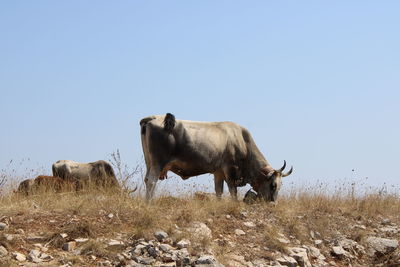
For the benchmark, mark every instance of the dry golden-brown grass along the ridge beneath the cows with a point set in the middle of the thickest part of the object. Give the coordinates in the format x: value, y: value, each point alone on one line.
x: 88, y: 214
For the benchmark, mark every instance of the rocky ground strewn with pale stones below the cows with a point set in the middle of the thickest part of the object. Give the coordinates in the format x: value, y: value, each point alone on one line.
x: 233, y: 235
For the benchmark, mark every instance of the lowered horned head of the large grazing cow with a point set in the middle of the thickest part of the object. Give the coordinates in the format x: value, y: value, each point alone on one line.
x: 270, y: 181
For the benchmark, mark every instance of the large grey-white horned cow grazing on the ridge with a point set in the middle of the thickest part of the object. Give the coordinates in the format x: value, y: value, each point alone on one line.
x: 190, y: 148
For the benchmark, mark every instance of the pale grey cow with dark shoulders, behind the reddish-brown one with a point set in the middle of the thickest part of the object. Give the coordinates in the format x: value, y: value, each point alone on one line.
x: 99, y: 173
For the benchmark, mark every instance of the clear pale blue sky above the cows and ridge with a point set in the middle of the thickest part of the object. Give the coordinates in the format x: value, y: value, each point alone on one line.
x: 316, y: 82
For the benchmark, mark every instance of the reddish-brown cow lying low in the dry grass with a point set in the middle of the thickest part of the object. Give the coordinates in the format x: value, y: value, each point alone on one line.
x: 43, y: 184
